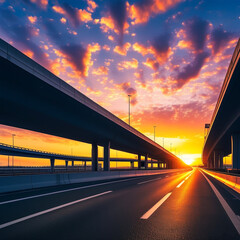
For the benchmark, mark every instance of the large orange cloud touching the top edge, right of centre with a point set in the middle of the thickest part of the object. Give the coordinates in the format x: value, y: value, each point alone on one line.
x: 142, y: 11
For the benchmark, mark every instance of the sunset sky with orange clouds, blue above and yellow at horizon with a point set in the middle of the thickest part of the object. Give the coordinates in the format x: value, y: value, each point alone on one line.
x: 171, y: 56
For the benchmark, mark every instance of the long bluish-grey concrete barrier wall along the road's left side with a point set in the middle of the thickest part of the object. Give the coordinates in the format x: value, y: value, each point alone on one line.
x: 23, y: 182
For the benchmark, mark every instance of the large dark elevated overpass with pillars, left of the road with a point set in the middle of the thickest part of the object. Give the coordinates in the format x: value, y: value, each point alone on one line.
x: 35, y: 99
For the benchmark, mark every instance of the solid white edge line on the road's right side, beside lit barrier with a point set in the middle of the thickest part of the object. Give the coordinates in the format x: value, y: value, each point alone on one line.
x: 233, y: 217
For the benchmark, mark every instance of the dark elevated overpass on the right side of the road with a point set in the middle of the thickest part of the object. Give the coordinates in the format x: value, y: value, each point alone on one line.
x: 223, y: 136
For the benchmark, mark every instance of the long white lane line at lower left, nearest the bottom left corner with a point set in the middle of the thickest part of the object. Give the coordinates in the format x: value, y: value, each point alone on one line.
x: 50, y: 210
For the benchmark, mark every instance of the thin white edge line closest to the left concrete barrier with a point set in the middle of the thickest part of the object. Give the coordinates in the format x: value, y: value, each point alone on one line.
x: 66, y: 190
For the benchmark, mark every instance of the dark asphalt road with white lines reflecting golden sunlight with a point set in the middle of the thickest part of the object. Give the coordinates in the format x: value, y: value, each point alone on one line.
x: 168, y: 206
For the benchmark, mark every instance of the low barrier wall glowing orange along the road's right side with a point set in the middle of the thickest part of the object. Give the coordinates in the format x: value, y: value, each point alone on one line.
x: 229, y: 180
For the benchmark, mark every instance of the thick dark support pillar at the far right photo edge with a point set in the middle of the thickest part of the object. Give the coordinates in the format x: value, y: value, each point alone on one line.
x: 235, y: 149
